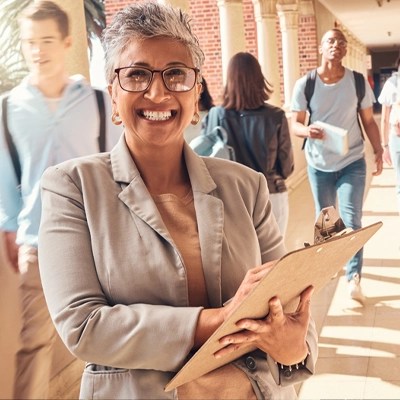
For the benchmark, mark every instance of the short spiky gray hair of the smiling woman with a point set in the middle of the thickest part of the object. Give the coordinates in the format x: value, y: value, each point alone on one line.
x: 146, y: 20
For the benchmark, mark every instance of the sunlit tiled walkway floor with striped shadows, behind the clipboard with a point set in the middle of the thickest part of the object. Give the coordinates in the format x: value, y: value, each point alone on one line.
x: 359, y: 347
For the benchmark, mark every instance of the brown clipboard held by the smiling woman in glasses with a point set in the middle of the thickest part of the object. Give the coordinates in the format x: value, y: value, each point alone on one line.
x: 313, y: 265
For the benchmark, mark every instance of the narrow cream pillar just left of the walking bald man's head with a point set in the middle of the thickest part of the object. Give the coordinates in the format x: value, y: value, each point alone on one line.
x: 288, y: 19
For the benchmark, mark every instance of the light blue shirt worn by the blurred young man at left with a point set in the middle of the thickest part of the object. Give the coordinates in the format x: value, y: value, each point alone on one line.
x: 44, y: 138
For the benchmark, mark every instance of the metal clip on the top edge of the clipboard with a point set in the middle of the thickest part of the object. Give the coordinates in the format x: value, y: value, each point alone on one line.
x: 328, y: 225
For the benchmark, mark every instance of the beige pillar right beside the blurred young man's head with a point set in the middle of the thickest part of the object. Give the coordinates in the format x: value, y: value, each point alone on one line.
x: 78, y: 59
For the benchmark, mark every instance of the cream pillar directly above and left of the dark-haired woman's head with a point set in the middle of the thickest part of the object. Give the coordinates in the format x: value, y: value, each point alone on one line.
x: 232, y: 31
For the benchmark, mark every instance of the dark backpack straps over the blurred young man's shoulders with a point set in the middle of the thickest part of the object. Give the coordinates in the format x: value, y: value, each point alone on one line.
x: 10, y: 143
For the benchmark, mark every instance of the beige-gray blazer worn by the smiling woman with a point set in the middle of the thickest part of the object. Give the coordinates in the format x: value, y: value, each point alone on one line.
x: 115, y: 282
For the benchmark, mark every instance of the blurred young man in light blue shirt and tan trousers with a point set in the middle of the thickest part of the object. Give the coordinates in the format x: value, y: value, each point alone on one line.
x: 51, y: 117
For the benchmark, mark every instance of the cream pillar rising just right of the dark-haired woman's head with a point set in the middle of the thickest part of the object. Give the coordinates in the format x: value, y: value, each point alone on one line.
x: 265, y: 16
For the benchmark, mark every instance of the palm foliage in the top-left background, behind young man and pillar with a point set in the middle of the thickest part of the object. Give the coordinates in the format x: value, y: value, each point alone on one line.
x: 12, y: 64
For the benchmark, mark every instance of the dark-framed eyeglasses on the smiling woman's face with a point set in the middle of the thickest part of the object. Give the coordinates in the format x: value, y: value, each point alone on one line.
x: 138, y: 79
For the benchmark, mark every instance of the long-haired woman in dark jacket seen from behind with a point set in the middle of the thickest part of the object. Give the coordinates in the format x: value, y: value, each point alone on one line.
x: 257, y: 131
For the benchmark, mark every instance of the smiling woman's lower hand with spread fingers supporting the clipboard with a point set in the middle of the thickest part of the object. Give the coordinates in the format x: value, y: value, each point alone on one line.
x: 282, y: 336
